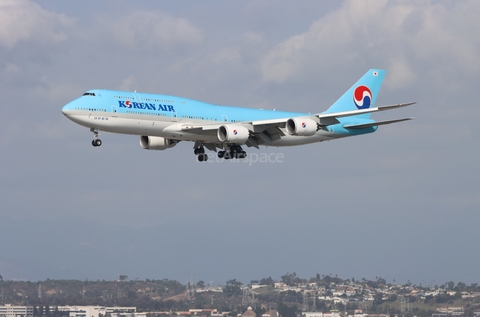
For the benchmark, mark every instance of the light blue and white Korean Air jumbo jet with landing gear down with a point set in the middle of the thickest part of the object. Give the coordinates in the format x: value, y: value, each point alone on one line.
x: 162, y: 121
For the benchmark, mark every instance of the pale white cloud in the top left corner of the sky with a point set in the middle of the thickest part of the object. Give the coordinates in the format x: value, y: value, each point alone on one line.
x: 26, y: 20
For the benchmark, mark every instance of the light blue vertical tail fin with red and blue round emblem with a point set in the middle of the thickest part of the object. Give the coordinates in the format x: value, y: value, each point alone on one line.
x: 362, y: 95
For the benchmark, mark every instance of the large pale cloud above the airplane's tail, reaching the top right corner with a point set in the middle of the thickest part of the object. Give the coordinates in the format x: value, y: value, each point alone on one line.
x: 392, y: 35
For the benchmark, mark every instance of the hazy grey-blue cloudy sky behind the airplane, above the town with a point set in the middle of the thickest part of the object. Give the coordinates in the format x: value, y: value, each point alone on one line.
x: 402, y: 203
